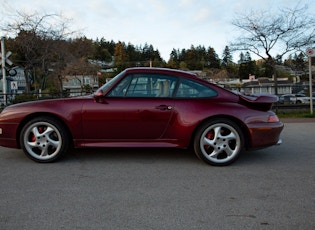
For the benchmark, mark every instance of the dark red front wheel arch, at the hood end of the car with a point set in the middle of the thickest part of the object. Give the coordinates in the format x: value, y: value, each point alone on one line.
x: 41, y: 114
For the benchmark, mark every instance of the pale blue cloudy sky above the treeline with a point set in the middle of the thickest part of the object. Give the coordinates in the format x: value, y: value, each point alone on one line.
x: 165, y: 24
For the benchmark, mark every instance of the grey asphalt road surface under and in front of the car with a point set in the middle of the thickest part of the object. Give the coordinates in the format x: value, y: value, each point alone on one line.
x: 272, y: 188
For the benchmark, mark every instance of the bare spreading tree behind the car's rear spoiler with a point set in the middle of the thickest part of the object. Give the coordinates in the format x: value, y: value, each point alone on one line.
x: 269, y: 34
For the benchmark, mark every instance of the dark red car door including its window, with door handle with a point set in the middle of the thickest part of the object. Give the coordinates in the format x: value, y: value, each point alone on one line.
x: 135, y: 109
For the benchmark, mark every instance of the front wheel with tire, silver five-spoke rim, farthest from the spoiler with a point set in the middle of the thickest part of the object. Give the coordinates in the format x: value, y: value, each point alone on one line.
x: 44, y: 139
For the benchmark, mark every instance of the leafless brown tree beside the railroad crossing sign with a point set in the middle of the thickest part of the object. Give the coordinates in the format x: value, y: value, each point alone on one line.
x: 35, y: 37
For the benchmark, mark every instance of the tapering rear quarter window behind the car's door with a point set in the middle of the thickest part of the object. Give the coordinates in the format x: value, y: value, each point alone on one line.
x: 191, y: 89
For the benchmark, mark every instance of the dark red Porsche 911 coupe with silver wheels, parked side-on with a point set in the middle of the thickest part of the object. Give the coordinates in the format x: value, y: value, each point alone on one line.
x: 145, y: 107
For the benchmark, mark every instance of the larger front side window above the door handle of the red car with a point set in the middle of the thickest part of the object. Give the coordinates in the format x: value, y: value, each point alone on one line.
x: 145, y: 85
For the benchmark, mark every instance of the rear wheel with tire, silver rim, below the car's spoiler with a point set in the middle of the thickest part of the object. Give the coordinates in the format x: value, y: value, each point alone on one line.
x: 218, y: 142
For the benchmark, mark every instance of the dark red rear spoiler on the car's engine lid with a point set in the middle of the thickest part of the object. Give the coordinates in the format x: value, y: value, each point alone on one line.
x: 262, y: 102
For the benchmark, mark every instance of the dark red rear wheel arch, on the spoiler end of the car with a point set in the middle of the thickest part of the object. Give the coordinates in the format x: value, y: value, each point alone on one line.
x: 237, y: 121
